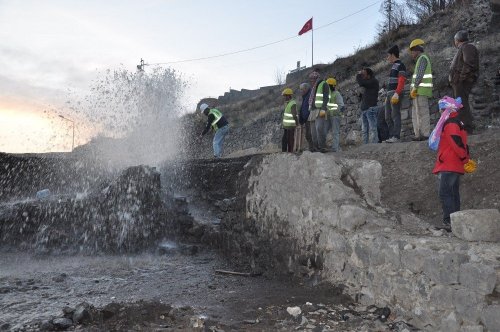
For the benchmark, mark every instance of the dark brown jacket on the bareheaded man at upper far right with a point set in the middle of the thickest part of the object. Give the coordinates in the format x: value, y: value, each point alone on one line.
x: 465, y: 64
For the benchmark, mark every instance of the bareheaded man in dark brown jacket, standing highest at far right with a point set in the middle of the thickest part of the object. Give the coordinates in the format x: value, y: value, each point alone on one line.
x: 464, y: 71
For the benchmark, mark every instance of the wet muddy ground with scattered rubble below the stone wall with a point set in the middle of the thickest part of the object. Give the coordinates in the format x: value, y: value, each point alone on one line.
x: 166, y: 292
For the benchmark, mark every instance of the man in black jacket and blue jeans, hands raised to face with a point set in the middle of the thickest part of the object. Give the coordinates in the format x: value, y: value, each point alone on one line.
x: 369, y: 109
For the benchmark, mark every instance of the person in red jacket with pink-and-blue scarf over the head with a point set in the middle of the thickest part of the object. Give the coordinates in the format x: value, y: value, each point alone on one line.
x: 453, y: 154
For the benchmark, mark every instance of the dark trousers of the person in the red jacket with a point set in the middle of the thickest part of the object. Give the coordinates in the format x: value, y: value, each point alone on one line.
x: 449, y: 193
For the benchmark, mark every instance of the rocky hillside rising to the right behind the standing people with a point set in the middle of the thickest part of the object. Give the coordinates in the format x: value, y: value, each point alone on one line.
x: 255, y: 115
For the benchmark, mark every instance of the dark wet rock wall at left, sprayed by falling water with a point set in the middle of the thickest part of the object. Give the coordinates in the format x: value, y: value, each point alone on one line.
x: 124, y: 215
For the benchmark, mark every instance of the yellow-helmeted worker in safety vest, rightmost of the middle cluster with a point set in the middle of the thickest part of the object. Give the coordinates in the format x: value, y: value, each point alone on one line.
x: 335, y: 110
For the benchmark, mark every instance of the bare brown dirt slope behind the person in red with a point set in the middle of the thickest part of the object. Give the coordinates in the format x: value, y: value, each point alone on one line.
x: 408, y: 184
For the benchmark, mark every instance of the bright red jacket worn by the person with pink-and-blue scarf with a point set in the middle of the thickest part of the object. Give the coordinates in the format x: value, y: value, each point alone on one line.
x: 453, y: 151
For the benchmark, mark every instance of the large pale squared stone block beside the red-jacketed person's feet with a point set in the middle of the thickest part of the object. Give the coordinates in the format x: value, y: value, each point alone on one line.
x: 476, y: 225
